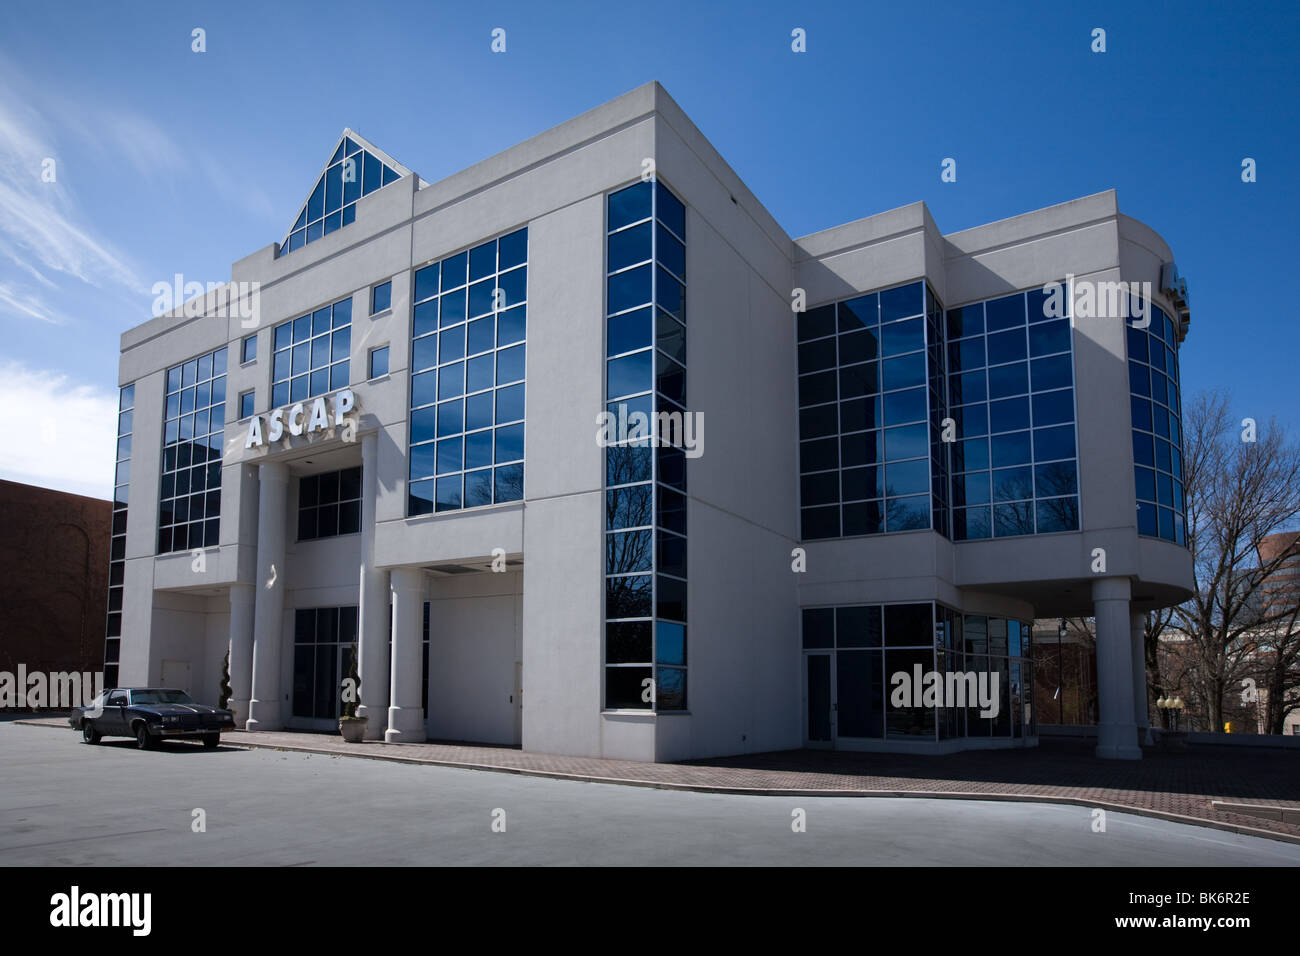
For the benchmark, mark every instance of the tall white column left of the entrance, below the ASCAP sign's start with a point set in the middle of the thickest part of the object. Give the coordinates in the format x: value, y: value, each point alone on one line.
x: 265, y: 710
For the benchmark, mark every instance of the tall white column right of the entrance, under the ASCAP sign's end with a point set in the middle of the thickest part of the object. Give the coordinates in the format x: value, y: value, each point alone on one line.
x: 374, y: 615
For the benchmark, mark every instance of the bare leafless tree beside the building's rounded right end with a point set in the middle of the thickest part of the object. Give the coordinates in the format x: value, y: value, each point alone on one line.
x: 1238, y: 494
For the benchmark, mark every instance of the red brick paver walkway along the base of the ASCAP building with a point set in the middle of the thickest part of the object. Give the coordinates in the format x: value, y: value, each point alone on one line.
x: 1060, y: 771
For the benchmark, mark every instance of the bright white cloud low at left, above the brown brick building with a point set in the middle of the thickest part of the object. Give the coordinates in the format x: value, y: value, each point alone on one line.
x: 71, y: 434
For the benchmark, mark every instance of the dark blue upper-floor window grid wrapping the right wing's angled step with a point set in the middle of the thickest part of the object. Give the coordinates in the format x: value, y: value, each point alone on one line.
x: 916, y: 418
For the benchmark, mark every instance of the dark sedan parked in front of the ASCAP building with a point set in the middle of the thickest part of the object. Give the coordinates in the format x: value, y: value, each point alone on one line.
x: 150, y: 715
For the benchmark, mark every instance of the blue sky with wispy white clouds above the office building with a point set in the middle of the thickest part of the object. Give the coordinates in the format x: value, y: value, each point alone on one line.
x: 170, y: 161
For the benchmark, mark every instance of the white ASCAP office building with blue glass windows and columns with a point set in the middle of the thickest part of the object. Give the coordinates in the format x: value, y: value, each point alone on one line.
x: 896, y: 449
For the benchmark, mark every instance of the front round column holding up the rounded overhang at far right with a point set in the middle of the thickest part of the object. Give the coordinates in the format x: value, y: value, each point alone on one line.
x: 1117, y: 734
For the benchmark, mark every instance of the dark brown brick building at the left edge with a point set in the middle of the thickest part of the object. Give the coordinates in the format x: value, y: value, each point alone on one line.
x: 53, y: 604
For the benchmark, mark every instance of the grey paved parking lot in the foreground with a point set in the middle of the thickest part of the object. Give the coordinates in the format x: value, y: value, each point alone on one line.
x: 64, y: 803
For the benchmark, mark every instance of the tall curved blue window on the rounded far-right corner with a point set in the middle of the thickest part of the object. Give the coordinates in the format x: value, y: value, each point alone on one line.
x: 1158, y: 426
